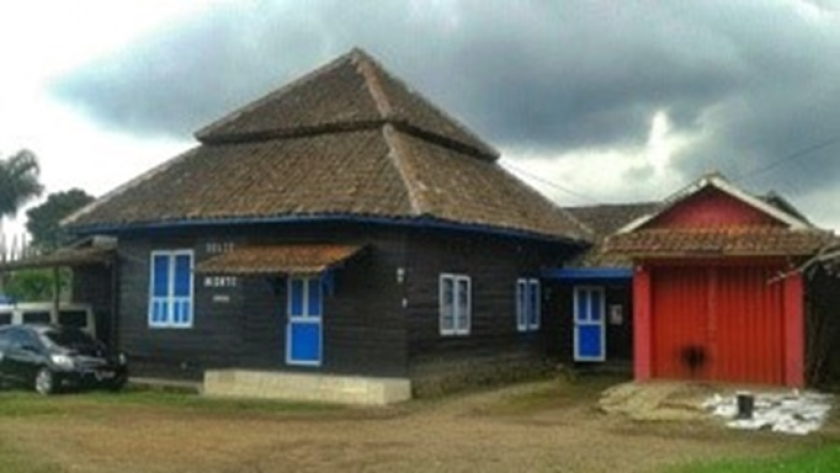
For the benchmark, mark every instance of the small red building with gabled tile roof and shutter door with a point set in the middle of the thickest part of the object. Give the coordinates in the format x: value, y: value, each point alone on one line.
x: 715, y: 291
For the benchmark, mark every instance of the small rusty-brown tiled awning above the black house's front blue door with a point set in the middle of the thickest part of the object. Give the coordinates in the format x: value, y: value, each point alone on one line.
x: 279, y: 259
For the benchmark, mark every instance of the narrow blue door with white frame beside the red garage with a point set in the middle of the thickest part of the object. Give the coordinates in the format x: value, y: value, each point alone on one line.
x: 590, y: 334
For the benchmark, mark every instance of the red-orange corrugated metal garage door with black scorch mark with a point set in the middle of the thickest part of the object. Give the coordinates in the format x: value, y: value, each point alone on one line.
x: 718, y: 323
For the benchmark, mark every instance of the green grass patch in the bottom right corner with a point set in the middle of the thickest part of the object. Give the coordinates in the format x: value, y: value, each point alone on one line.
x: 821, y: 460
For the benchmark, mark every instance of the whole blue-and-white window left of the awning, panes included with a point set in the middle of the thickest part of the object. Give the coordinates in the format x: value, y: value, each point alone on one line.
x: 171, y: 289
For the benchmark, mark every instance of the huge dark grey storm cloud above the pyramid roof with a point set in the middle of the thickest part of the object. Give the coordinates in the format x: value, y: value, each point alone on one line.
x: 757, y: 80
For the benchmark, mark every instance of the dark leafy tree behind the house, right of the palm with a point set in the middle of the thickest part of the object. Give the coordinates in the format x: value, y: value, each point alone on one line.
x: 43, y: 221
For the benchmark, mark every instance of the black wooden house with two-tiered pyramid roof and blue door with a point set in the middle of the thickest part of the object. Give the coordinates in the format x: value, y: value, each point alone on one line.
x: 341, y: 225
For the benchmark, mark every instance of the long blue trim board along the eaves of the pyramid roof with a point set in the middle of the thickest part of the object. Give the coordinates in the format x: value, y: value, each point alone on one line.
x: 423, y: 222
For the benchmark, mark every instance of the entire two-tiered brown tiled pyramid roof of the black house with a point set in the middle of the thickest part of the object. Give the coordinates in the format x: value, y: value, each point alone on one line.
x: 345, y: 141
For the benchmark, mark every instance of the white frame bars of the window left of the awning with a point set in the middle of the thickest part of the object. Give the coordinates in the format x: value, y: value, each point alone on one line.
x: 170, y: 298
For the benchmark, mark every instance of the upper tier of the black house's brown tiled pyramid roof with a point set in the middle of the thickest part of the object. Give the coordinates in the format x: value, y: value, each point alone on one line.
x: 351, y: 92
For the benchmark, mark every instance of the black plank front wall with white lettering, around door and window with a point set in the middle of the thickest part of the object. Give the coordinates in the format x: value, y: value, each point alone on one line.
x: 364, y: 332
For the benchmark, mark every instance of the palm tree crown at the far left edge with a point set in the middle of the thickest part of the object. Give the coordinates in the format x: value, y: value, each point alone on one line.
x: 19, y: 182
